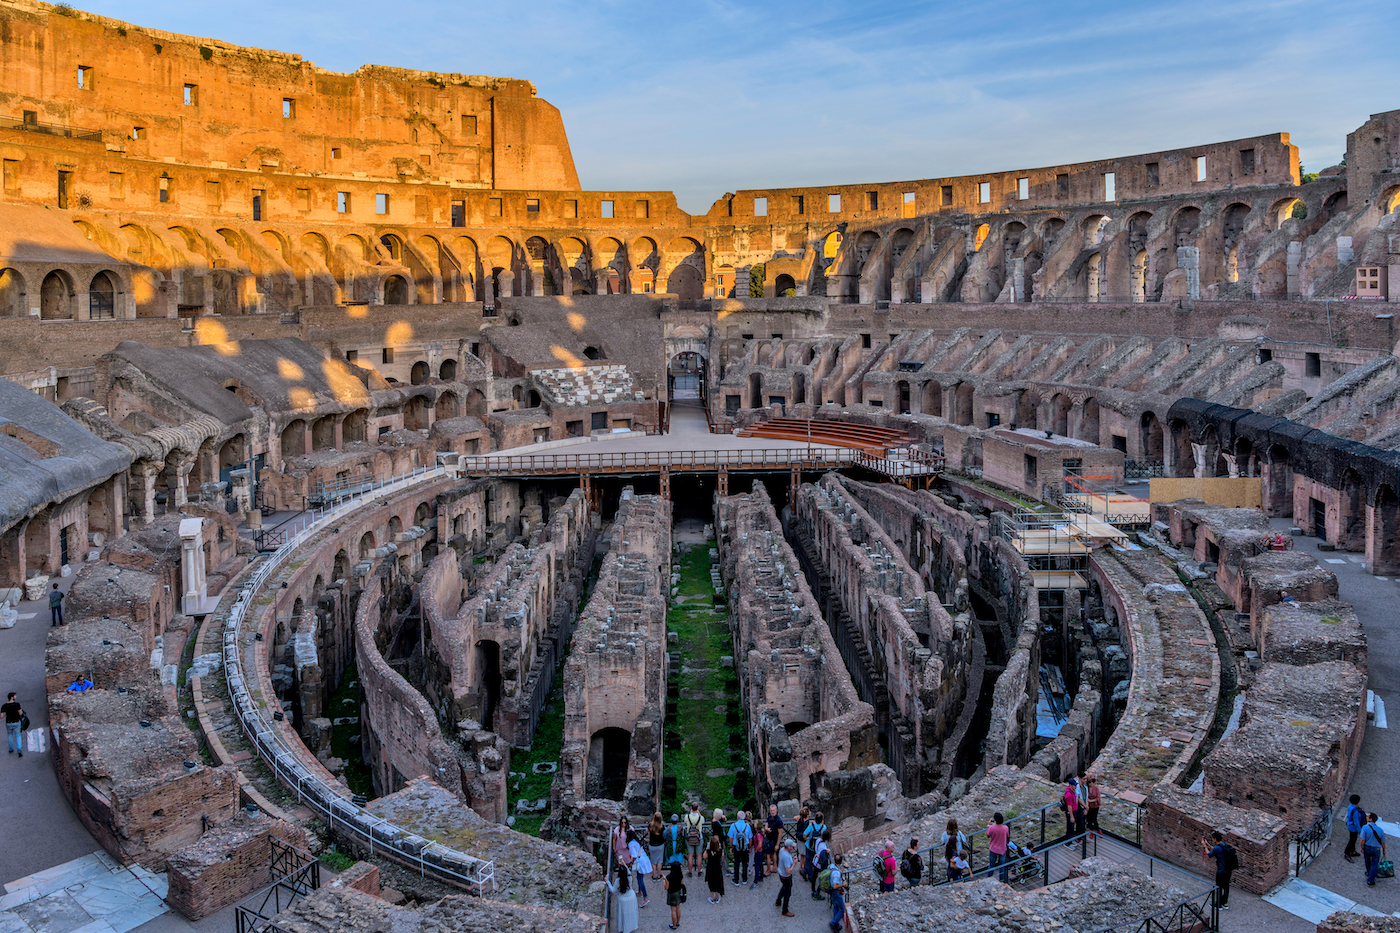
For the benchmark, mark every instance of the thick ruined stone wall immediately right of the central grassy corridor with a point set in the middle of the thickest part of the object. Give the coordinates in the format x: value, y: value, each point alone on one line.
x: 789, y: 663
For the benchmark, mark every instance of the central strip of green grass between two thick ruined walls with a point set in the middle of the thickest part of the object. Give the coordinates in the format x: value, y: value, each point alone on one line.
x: 709, y: 710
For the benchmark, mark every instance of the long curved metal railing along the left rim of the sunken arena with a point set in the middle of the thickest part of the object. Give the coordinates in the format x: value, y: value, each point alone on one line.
x: 342, y: 816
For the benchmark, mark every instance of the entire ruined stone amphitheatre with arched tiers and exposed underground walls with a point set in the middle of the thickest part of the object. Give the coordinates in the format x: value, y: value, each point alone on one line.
x: 414, y: 505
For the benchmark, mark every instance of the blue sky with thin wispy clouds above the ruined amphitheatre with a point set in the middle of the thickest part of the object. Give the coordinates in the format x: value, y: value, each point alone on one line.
x: 712, y: 96
